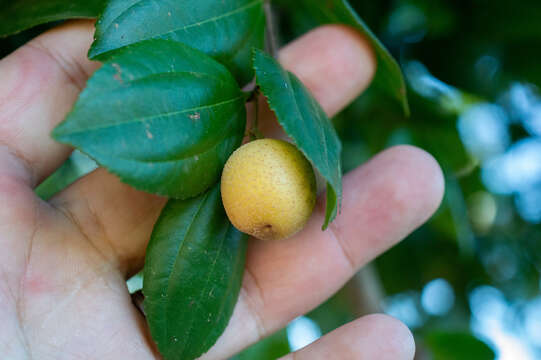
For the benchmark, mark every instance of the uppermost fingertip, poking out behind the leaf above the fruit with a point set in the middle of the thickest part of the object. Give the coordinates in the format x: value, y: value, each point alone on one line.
x: 334, y: 61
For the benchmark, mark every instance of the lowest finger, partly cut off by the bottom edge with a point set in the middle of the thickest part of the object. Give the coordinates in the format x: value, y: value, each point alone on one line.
x: 373, y: 337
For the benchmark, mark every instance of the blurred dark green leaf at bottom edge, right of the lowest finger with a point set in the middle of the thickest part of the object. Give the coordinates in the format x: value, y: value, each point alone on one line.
x: 457, y: 346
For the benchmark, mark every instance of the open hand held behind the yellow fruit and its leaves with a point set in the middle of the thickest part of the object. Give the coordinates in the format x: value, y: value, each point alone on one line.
x: 63, y: 263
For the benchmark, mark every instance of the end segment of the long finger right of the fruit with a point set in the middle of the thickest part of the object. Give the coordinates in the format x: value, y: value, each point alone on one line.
x: 386, y: 199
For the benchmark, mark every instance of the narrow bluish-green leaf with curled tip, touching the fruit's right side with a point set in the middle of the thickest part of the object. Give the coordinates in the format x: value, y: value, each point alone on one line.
x: 305, y: 122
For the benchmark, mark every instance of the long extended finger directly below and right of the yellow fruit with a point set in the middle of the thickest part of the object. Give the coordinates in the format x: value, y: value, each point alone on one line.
x: 384, y: 200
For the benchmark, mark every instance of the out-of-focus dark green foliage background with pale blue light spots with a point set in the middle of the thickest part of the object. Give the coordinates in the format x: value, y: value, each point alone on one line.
x: 473, y: 84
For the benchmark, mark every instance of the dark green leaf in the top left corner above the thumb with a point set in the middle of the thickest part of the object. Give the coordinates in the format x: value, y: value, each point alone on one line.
x: 18, y: 15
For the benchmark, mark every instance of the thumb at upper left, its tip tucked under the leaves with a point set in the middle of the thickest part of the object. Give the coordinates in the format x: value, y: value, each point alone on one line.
x: 40, y: 83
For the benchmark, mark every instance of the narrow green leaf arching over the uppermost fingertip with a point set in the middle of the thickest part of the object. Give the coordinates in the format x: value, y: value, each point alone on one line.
x: 388, y: 76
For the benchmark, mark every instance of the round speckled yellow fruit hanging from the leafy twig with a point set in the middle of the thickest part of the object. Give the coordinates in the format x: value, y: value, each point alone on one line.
x: 268, y: 189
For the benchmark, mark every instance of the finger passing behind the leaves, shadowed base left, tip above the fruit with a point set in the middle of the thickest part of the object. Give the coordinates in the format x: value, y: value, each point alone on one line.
x: 96, y: 199
